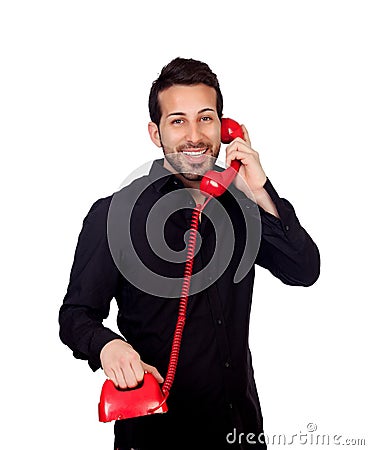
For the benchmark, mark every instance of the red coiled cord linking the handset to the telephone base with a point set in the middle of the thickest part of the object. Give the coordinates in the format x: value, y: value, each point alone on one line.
x: 177, y: 338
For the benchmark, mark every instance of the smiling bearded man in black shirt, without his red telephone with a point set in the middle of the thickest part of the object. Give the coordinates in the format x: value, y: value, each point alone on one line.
x: 213, y: 403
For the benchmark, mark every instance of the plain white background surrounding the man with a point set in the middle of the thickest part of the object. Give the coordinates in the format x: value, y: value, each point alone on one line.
x: 75, y: 77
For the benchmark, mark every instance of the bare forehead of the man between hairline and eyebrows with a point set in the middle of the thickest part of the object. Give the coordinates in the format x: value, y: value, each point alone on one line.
x: 187, y: 99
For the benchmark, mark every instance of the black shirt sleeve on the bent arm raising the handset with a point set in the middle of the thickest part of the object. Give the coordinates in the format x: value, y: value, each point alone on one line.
x: 286, y: 249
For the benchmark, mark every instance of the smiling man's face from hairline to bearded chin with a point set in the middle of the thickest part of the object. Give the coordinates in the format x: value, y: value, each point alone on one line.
x: 190, y: 129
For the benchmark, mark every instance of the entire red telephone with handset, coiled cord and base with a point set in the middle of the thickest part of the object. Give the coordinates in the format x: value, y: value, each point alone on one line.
x: 149, y: 397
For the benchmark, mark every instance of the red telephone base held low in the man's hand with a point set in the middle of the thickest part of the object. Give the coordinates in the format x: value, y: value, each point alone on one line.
x: 116, y: 404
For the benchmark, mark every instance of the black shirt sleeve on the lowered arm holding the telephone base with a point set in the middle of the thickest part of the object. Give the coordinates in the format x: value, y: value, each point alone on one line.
x: 94, y: 281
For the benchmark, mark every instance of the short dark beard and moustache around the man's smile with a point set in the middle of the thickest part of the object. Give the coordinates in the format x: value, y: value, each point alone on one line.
x: 191, y: 170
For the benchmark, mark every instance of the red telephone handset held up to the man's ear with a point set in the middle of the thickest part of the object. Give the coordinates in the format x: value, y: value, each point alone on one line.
x: 215, y: 183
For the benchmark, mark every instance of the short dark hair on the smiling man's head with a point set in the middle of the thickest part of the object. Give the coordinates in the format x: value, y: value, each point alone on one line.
x: 186, y: 72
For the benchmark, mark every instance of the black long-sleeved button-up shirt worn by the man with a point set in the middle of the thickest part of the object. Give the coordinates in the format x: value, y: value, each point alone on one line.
x: 132, y: 248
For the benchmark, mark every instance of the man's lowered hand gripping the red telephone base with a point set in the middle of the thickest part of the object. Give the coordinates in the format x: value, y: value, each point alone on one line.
x: 123, y: 365
